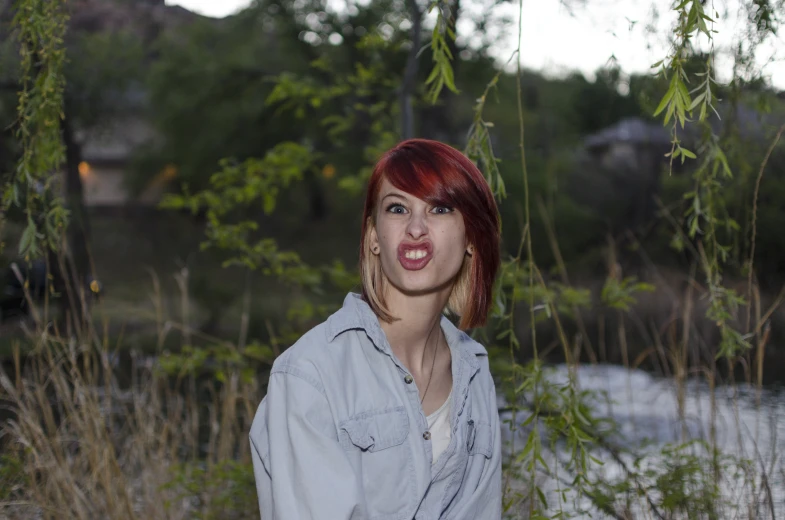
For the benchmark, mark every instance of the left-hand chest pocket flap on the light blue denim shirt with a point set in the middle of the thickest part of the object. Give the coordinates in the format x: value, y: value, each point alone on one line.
x: 376, y: 430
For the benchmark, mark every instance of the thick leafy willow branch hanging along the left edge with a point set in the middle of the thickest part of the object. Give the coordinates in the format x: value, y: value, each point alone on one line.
x: 41, y: 26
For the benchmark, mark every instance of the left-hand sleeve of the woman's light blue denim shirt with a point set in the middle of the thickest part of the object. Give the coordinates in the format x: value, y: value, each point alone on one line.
x: 300, y: 468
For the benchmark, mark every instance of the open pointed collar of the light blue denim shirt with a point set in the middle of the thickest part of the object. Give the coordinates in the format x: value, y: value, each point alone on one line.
x: 357, y: 314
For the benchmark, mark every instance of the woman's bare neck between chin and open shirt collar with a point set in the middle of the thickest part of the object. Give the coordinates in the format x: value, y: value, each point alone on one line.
x: 416, y: 332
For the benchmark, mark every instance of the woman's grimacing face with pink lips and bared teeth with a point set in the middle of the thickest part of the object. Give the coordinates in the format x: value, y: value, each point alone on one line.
x: 421, y: 247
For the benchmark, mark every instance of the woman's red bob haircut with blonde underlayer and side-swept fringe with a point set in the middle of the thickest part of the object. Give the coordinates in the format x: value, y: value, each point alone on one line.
x: 439, y: 175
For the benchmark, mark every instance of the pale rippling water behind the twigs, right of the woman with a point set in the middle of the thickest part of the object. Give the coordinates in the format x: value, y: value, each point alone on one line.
x: 646, y: 411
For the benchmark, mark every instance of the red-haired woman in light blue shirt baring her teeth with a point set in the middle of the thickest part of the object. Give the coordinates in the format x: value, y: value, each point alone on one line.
x: 387, y: 410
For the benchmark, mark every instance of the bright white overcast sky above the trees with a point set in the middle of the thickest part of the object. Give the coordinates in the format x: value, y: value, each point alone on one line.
x: 556, y: 39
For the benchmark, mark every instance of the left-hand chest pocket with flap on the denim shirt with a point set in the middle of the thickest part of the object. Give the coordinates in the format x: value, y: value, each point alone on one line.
x: 376, y: 444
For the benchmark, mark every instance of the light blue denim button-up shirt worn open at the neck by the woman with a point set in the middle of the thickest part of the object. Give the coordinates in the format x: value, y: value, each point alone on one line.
x: 341, y: 434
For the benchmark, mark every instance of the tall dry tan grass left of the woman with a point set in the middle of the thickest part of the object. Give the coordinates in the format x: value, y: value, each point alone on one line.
x: 83, y: 443
